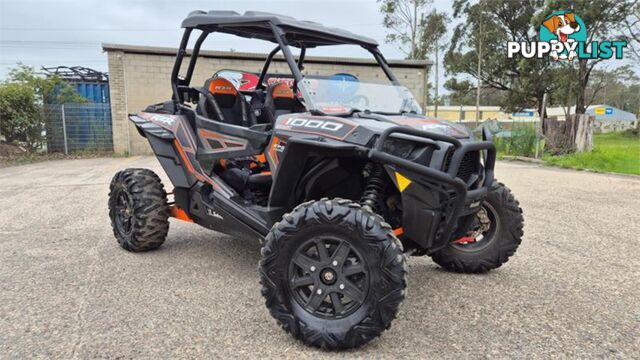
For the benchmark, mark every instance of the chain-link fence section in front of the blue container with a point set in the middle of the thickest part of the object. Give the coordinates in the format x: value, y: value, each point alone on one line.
x: 72, y: 127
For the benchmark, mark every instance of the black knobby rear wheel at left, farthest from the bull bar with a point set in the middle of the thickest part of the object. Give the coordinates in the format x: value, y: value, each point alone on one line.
x: 138, y: 210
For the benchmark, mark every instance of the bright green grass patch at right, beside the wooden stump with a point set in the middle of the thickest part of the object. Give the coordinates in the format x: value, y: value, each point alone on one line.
x: 612, y: 152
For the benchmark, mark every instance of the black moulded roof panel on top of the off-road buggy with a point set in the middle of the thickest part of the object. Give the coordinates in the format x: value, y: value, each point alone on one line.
x: 256, y: 24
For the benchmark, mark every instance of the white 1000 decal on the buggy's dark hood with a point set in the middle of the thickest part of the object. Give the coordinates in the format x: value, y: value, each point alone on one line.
x: 332, y: 127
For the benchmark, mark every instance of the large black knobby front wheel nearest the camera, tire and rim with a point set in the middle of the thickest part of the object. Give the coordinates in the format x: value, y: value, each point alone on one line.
x: 298, y: 261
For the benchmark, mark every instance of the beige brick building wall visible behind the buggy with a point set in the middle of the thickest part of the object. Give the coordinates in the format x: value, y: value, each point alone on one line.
x: 140, y: 76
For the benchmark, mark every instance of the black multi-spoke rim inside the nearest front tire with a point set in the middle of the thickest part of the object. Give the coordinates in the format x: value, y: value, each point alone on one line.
x: 328, y: 277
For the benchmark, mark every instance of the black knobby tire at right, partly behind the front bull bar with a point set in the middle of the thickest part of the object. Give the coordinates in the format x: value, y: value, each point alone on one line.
x: 499, y: 242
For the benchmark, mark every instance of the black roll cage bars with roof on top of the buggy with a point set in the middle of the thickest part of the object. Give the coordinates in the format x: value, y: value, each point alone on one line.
x: 282, y: 30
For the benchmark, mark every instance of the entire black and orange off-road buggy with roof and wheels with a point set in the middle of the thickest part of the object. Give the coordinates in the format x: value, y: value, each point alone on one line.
x: 338, y: 178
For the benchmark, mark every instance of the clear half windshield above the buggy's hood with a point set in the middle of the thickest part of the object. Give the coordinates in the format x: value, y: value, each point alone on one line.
x: 344, y: 93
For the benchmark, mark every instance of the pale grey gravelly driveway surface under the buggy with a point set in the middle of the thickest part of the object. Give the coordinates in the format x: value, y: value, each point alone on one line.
x: 68, y: 290
